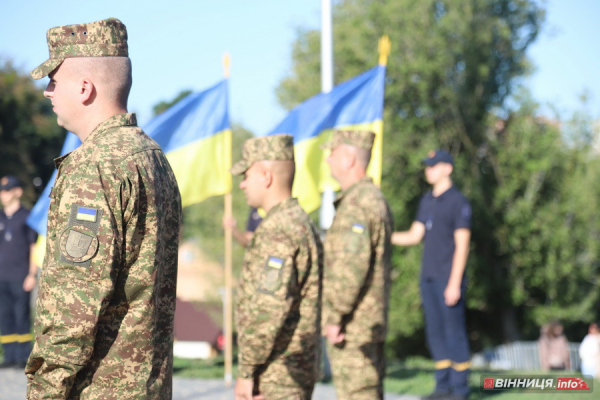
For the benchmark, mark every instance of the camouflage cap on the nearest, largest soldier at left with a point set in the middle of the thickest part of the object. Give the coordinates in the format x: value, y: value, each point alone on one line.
x: 106, y: 38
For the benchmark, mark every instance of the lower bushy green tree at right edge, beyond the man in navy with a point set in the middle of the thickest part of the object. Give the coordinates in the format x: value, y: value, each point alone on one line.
x: 537, y: 261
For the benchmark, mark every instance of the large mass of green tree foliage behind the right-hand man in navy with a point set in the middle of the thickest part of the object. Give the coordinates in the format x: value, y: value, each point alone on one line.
x: 452, y: 66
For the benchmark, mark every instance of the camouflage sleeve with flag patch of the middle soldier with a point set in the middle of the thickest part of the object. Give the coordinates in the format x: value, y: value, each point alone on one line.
x: 275, y: 289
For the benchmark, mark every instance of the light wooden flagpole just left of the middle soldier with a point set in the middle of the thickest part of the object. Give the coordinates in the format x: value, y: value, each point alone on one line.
x: 228, y: 317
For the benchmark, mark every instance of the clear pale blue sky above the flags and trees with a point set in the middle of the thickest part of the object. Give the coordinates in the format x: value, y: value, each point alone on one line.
x: 178, y: 44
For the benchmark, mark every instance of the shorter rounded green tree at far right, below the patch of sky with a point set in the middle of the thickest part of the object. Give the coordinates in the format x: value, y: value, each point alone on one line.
x: 547, y: 196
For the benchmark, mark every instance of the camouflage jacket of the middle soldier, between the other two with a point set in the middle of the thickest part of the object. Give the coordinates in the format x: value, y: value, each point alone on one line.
x: 279, y: 299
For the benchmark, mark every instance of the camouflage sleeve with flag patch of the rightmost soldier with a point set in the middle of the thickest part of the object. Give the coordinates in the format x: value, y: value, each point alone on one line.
x: 347, y: 261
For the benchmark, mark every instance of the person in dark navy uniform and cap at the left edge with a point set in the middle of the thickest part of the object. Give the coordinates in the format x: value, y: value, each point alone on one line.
x: 18, y: 275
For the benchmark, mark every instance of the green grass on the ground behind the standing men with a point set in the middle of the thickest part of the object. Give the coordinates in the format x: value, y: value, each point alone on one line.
x: 413, y: 376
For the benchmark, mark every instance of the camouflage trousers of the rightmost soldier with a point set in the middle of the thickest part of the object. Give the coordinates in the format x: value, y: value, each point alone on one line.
x: 358, y: 370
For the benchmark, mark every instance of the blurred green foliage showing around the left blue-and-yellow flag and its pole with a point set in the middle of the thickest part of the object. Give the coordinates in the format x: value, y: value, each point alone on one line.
x: 203, y: 222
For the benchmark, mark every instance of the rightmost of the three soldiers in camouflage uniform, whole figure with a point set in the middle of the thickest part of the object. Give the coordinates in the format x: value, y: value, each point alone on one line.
x: 357, y: 271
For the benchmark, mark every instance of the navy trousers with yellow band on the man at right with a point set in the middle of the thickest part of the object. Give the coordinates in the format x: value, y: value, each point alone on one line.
x: 446, y: 337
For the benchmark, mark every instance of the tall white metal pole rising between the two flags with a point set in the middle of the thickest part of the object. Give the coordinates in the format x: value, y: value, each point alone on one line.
x: 327, y: 210
